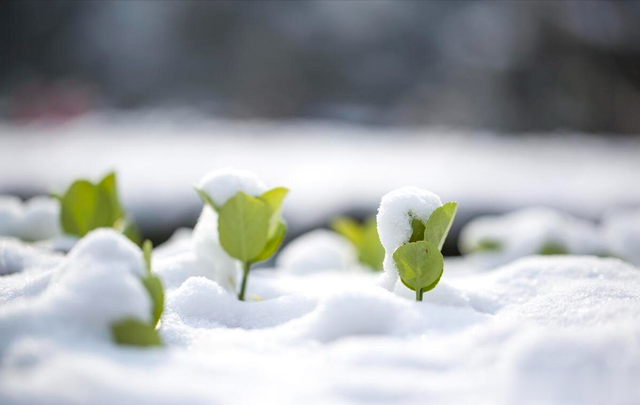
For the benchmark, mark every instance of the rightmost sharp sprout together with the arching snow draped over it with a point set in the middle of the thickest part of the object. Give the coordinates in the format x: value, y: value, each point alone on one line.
x: 413, y: 224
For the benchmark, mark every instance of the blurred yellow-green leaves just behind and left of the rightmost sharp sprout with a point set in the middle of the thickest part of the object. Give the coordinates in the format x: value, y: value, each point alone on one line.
x: 364, y: 238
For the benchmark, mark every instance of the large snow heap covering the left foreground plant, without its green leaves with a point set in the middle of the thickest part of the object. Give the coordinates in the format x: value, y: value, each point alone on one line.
x: 97, y: 284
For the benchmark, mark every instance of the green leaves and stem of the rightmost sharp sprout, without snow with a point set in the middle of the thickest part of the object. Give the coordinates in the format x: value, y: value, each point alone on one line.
x: 419, y: 261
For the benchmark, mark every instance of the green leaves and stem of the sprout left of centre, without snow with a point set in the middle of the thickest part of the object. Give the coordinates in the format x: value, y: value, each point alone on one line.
x: 251, y: 228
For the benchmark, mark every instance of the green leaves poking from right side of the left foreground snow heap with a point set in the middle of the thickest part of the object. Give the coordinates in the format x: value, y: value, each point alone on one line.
x: 132, y: 331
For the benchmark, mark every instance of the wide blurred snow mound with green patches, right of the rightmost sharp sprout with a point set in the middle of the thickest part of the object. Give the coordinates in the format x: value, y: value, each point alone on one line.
x: 503, y: 238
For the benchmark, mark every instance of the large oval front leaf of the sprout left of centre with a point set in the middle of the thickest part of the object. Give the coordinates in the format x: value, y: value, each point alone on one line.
x: 243, y: 225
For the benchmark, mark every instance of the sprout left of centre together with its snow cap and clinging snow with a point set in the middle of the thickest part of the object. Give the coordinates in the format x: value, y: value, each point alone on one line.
x: 241, y: 223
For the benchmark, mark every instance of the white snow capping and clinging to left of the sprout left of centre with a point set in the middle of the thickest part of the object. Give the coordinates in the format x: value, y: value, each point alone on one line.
x: 220, y: 185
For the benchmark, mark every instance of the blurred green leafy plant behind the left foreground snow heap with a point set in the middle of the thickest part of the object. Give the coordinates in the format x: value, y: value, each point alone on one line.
x: 86, y: 206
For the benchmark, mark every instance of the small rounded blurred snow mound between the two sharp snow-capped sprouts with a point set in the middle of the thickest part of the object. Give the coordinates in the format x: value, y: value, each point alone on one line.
x: 317, y: 251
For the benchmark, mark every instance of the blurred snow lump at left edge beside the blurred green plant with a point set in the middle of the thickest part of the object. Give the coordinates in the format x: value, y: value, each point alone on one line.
x: 34, y: 220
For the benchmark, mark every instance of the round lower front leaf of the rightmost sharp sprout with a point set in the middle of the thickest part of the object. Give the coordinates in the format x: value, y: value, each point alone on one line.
x: 420, y: 264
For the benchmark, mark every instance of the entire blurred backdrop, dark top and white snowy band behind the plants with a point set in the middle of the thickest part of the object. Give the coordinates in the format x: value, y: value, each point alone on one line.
x: 498, y: 104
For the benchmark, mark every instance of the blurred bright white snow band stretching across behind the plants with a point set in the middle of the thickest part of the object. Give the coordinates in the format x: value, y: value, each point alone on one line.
x: 329, y: 168
